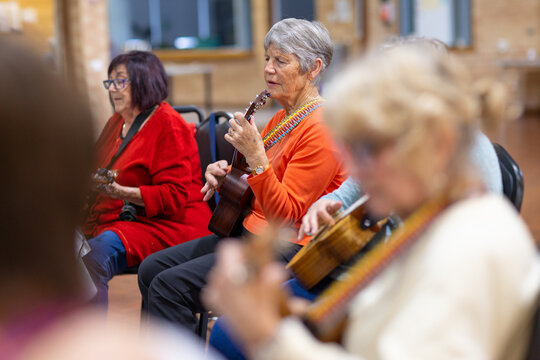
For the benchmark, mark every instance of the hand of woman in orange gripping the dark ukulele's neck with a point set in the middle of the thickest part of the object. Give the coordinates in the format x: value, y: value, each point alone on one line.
x: 245, y: 137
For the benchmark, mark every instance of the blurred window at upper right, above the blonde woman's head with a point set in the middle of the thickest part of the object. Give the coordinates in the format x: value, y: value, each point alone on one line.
x: 446, y: 20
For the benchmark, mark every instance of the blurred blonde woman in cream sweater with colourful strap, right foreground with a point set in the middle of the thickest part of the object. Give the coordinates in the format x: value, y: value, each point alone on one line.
x: 459, y: 279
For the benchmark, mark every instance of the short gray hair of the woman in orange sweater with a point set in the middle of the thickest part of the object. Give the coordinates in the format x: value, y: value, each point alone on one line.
x: 308, y: 40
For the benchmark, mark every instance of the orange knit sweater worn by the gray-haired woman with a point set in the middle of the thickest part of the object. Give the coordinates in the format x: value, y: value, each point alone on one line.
x: 304, y: 165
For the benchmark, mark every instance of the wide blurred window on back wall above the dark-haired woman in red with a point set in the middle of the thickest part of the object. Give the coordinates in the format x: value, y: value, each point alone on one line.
x: 186, y: 24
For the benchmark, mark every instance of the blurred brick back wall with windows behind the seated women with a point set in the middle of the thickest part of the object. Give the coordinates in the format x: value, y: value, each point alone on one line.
x: 214, y: 52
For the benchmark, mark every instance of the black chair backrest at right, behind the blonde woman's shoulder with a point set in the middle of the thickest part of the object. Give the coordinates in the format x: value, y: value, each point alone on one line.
x: 512, y: 176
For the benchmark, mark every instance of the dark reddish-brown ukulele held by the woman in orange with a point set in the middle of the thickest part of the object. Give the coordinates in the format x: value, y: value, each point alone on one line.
x: 235, y: 193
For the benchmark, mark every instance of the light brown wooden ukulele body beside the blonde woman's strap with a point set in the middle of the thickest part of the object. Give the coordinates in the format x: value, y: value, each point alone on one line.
x: 334, y: 245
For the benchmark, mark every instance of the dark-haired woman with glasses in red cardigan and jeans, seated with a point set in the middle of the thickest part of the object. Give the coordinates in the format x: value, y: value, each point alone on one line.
x: 155, y: 201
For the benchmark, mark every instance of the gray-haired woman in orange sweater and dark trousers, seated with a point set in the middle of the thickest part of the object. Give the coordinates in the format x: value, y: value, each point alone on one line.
x: 294, y: 162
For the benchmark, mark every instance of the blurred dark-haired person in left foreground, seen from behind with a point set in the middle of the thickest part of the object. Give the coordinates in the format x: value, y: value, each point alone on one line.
x: 46, y: 154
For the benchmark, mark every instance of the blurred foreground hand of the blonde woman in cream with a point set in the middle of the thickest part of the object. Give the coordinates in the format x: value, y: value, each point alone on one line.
x: 233, y: 292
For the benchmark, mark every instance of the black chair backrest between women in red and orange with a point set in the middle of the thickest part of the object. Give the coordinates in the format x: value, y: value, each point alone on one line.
x: 222, y: 149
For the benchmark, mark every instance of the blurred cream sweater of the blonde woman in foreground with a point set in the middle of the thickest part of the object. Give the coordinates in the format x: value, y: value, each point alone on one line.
x: 466, y: 290
